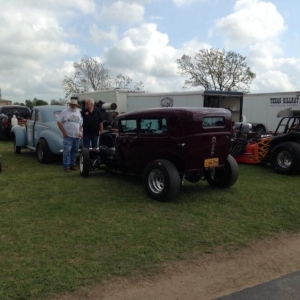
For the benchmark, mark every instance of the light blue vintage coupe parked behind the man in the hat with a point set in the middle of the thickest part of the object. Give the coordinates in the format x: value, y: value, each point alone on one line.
x: 41, y: 133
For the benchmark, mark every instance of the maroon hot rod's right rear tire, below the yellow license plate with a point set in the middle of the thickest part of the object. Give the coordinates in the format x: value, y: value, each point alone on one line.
x: 226, y: 176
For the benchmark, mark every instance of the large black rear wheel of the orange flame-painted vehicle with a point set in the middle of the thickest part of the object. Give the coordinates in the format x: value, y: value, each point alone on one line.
x: 285, y: 158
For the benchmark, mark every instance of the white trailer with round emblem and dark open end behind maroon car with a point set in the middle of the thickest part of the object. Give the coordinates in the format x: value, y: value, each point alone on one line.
x: 229, y: 100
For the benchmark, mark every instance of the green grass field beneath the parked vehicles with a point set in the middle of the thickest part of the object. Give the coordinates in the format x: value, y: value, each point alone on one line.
x: 60, y: 232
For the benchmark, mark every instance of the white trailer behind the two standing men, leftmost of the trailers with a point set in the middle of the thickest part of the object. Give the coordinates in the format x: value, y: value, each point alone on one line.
x: 117, y: 96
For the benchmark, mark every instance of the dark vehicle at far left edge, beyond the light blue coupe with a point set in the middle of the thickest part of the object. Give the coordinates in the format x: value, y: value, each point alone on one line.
x: 22, y: 113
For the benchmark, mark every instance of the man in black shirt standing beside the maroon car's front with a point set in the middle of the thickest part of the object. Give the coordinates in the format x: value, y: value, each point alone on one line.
x: 92, y: 124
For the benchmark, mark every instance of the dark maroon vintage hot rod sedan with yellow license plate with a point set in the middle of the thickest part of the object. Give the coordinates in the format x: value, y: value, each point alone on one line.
x: 166, y: 146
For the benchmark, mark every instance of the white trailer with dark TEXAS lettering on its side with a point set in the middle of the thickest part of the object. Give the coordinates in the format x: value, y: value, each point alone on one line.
x: 264, y: 107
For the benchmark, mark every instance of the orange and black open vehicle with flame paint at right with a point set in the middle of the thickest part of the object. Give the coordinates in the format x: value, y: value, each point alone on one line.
x: 281, y: 149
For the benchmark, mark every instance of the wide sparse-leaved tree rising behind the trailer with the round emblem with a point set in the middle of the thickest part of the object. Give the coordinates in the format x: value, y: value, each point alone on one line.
x: 217, y: 70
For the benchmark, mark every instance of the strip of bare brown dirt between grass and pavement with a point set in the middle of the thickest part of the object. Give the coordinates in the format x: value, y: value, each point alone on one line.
x: 208, y: 277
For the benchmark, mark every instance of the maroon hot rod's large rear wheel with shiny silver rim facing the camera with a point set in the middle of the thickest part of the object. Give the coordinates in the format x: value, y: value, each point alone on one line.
x: 161, y: 180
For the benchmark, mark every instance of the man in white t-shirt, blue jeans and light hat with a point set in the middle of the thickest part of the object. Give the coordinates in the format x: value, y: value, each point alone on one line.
x: 70, y: 124
